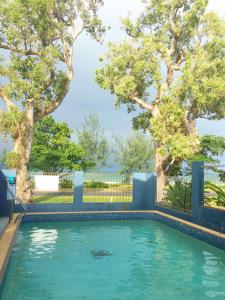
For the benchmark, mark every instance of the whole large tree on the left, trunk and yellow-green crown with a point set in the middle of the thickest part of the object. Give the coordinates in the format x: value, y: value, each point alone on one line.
x: 36, y: 68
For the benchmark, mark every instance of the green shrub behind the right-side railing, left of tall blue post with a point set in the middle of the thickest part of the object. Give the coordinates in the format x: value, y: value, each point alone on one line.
x: 178, y: 195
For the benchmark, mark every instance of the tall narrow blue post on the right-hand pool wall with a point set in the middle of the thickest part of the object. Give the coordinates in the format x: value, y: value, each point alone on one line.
x: 197, y: 190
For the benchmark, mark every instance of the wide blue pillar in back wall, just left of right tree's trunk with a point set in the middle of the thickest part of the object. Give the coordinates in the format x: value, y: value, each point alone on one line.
x: 144, y: 191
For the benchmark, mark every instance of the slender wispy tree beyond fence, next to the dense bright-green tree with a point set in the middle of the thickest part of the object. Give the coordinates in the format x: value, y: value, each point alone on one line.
x: 92, y: 139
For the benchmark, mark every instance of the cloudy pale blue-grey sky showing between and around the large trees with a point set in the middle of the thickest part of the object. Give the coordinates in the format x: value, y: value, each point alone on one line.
x: 85, y: 96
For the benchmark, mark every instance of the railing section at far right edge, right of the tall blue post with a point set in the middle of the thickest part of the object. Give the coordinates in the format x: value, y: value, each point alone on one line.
x: 214, y: 186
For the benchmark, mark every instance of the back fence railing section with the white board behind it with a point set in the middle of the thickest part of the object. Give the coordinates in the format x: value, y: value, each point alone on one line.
x: 52, y: 187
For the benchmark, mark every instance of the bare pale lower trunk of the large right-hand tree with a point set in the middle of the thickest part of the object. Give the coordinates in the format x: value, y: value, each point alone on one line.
x: 161, y: 177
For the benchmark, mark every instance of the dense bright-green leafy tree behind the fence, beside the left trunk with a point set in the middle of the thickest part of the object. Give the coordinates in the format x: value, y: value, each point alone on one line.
x: 53, y: 150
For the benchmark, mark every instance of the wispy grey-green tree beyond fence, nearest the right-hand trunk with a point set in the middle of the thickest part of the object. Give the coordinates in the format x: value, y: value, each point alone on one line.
x: 135, y: 154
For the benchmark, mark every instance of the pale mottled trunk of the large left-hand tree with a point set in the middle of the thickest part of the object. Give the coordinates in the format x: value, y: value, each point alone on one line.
x: 22, y: 148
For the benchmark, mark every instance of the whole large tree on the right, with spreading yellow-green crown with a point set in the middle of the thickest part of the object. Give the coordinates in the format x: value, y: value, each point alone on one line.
x: 172, y: 65
